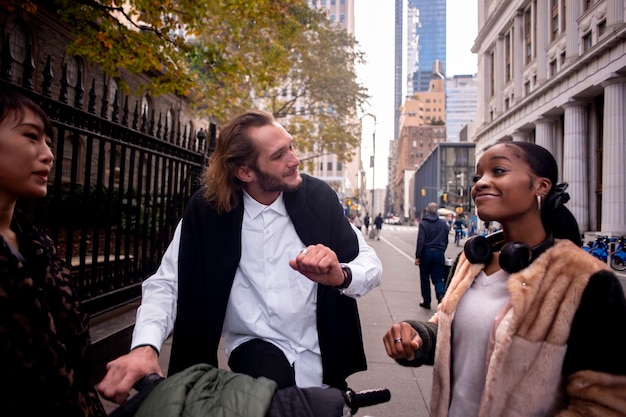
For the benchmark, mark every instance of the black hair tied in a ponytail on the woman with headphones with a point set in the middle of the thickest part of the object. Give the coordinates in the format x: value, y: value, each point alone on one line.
x: 556, y: 218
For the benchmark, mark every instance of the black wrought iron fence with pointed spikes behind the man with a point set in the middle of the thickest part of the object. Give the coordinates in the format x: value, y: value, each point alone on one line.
x: 118, y: 186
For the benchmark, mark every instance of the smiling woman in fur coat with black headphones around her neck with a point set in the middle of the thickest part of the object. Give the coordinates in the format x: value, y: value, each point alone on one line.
x: 531, y: 325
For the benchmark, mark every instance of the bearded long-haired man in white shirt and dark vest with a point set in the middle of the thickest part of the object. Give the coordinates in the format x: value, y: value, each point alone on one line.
x: 266, y: 258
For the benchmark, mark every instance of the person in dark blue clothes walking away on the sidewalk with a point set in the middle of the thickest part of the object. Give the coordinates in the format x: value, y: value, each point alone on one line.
x: 432, y: 241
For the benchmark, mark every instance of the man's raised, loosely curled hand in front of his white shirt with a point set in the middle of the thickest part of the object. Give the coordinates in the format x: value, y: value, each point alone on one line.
x: 319, y: 263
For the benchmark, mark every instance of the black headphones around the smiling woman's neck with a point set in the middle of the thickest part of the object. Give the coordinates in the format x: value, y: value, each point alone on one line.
x: 514, y: 256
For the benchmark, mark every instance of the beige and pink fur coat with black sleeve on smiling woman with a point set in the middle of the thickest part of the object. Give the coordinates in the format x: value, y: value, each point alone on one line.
x: 557, y: 349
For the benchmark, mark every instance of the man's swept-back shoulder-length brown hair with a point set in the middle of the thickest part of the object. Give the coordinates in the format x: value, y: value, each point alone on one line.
x: 234, y: 148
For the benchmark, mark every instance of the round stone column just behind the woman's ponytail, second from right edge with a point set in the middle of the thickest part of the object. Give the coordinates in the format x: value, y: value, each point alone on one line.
x: 575, y: 161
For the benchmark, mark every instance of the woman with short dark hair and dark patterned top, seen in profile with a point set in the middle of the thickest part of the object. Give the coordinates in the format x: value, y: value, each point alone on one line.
x: 44, y: 333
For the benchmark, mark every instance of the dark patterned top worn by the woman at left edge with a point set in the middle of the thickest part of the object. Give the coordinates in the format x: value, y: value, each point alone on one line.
x: 44, y: 334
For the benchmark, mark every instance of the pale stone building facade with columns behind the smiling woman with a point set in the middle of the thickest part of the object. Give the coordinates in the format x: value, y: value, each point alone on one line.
x: 553, y: 72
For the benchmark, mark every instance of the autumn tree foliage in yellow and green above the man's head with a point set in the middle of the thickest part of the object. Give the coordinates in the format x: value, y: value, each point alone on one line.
x: 223, y: 55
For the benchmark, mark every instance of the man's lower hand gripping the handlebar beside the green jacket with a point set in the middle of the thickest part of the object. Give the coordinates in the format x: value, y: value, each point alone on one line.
x: 125, y: 371
